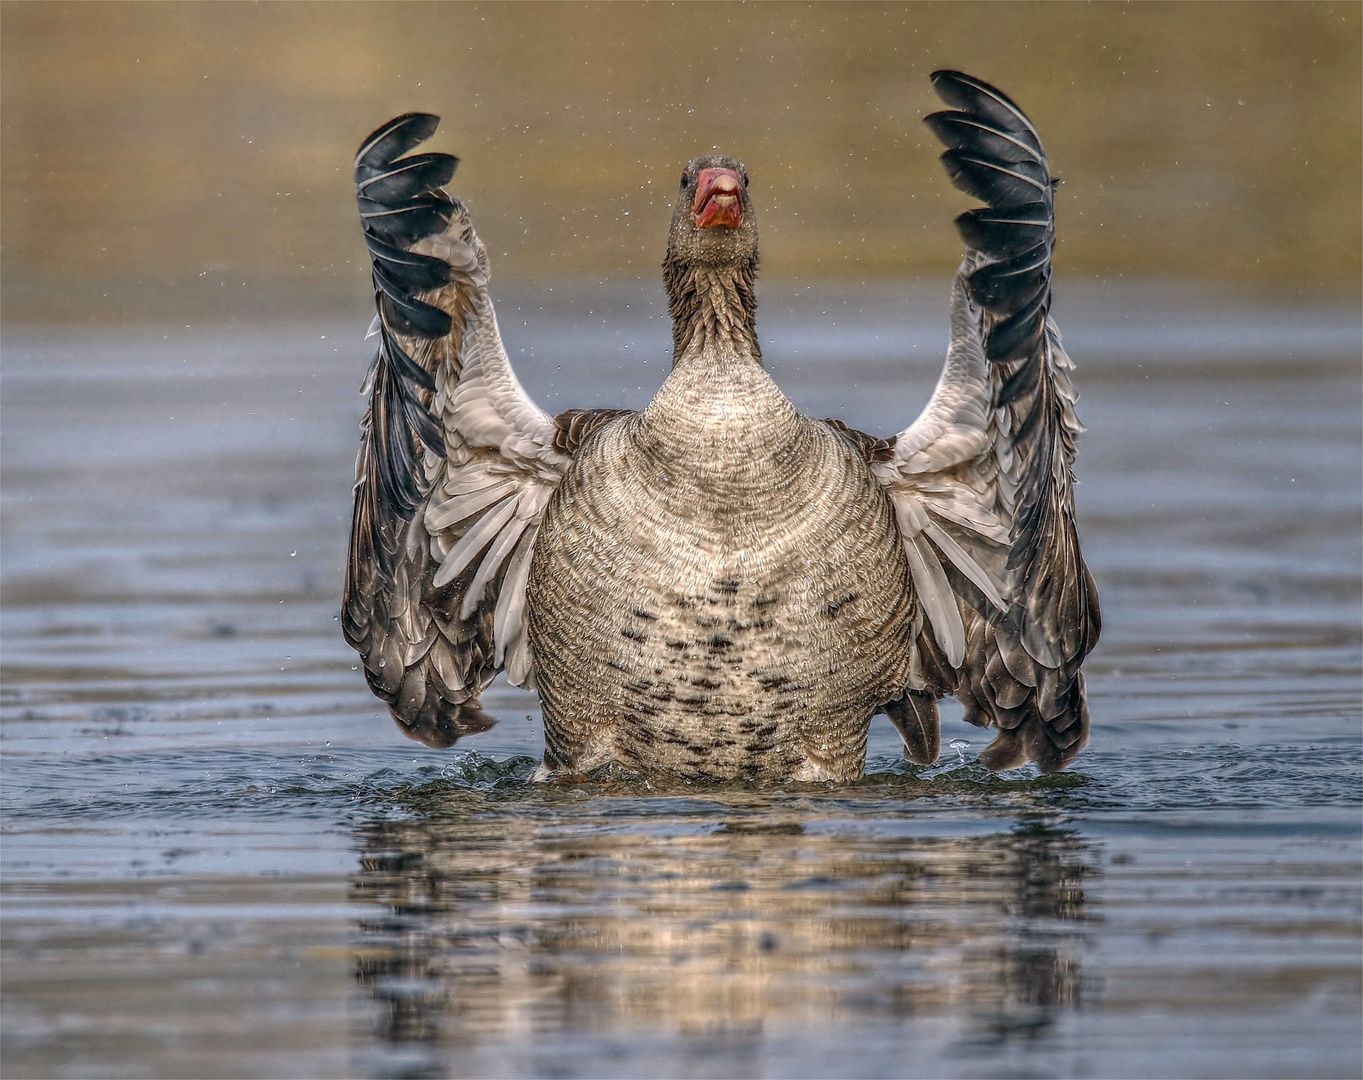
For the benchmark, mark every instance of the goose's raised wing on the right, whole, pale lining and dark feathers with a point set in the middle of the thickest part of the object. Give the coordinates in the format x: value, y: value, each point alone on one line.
x: 982, y: 482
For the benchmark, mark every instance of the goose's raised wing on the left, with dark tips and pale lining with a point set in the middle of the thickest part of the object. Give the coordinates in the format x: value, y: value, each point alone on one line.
x: 456, y: 462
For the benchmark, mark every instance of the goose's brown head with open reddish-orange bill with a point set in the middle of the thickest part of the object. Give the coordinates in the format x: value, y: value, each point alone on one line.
x: 714, y: 223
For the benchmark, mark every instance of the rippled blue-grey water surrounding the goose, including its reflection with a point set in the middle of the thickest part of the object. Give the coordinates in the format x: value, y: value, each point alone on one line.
x: 213, y: 831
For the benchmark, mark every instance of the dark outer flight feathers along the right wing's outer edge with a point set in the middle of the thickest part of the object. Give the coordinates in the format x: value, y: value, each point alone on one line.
x: 1022, y: 670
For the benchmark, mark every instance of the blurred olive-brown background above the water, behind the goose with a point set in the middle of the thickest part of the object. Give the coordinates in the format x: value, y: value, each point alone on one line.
x: 198, y: 157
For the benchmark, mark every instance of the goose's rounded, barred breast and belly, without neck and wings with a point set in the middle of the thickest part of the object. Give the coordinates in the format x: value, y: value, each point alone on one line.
x: 697, y: 583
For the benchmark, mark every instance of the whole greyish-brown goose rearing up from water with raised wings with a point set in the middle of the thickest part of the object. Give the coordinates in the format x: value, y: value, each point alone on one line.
x: 718, y: 587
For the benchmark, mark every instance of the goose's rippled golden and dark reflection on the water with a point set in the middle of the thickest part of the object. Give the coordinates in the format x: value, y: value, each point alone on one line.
x: 500, y: 929
